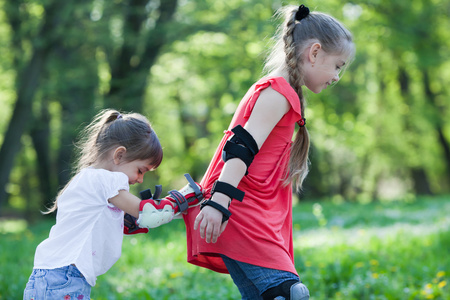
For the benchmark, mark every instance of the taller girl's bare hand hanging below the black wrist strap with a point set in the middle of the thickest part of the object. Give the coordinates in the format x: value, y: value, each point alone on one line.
x: 211, y: 226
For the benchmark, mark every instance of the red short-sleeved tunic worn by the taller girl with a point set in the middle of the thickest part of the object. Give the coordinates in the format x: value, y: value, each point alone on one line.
x: 259, y: 231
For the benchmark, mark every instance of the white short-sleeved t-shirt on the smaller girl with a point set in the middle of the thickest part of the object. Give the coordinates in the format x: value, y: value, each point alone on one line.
x: 88, y: 230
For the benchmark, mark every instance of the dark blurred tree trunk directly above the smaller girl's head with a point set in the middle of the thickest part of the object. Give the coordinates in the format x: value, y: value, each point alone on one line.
x: 141, y: 44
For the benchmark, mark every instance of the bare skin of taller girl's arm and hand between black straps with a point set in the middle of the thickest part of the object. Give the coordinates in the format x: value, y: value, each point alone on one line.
x: 269, y: 109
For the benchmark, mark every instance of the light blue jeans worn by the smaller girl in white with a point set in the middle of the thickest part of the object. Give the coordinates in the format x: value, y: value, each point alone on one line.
x: 62, y: 283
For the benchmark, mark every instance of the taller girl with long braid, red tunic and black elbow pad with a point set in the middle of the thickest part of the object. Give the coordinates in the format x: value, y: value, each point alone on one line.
x: 256, y: 162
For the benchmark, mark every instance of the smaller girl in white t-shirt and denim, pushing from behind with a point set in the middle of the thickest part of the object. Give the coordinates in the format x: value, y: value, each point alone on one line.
x: 116, y: 151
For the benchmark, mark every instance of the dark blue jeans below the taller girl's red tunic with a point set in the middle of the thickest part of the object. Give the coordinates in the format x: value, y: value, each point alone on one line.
x: 253, y: 280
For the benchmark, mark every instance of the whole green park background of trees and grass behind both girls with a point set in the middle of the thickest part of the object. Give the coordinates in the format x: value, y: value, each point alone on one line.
x: 372, y: 221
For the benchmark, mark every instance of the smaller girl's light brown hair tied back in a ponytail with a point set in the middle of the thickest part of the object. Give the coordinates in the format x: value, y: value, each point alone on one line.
x: 111, y: 129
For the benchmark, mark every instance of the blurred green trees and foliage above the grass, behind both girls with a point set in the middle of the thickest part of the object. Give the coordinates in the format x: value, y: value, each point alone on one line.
x: 381, y: 133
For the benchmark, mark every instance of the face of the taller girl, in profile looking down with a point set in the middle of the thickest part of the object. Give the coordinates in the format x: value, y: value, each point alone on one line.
x: 321, y: 69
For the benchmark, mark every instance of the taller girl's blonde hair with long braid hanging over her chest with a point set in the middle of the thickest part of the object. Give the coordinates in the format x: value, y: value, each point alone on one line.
x: 292, y: 39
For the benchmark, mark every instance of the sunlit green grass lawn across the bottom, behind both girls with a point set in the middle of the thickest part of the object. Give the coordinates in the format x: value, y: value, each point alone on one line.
x: 397, y: 250
